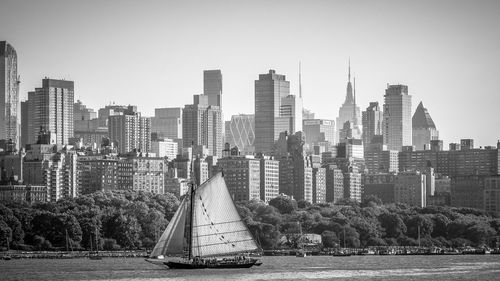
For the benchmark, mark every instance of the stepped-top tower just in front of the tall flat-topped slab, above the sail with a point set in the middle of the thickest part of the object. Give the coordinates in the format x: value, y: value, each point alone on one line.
x: 202, y: 125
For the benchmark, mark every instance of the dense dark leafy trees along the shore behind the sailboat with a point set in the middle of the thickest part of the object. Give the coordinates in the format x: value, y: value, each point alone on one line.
x: 136, y: 219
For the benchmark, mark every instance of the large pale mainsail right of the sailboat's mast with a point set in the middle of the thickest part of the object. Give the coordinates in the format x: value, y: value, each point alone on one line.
x: 217, y: 227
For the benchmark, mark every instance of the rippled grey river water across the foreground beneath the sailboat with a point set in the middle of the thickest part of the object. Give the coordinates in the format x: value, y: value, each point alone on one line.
x: 480, y: 267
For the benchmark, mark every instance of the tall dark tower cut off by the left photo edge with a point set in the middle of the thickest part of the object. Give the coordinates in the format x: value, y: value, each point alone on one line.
x: 9, y: 94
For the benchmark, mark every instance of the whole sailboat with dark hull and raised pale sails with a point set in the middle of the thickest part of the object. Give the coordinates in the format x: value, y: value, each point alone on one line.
x: 206, y: 231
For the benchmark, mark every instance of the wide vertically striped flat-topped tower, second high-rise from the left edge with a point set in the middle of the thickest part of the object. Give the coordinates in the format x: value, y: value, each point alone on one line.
x: 51, y: 108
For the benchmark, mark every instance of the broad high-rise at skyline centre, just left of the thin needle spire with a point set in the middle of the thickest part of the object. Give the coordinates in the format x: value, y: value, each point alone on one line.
x: 270, y: 89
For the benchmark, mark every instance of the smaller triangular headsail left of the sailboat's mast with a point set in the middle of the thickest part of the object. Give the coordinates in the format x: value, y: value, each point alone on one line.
x: 171, y: 242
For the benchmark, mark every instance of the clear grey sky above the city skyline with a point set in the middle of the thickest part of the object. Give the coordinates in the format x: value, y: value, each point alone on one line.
x: 152, y: 53
